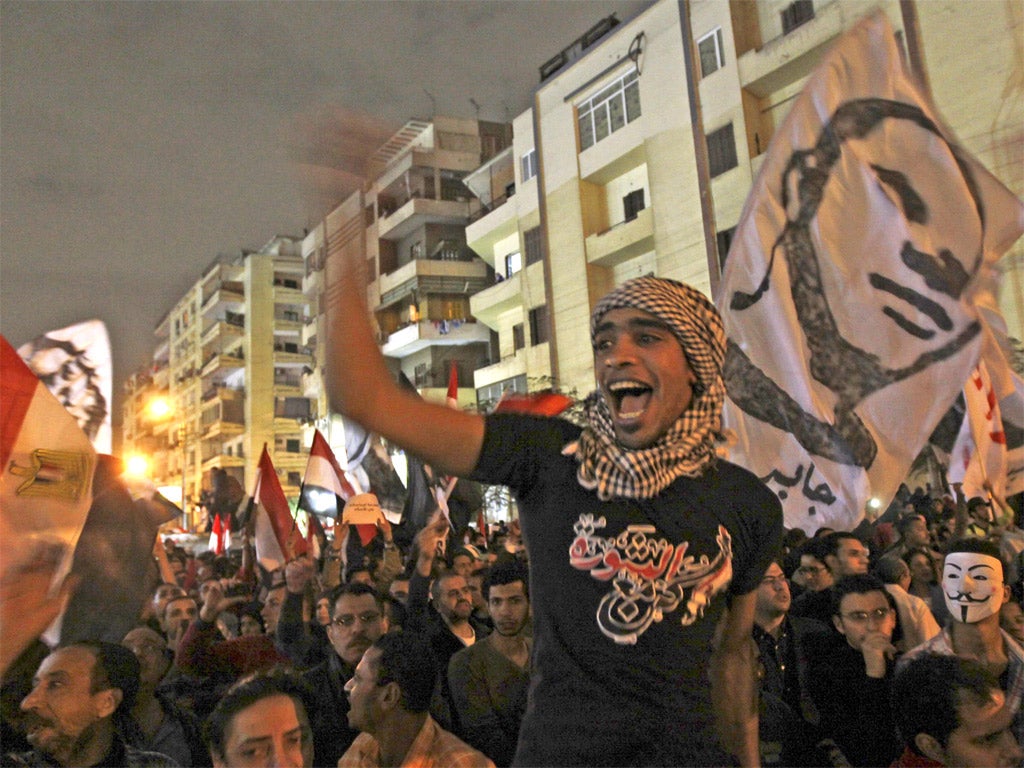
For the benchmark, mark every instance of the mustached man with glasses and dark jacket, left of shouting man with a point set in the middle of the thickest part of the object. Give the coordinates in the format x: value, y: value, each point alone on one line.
x: 358, y: 621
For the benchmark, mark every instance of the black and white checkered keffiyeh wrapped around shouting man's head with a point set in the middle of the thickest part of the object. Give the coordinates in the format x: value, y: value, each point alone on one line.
x: 689, y: 448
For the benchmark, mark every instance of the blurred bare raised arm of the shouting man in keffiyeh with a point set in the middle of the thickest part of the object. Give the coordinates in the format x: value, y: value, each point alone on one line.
x: 361, y: 388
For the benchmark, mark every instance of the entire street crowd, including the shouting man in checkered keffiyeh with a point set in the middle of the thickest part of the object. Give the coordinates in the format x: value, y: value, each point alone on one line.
x: 651, y: 611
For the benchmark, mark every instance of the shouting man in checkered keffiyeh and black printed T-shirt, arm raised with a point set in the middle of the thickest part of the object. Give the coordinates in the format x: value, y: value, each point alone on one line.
x: 638, y: 536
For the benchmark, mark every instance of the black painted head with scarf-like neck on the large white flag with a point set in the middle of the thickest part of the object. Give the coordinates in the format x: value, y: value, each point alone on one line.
x: 889, y: 308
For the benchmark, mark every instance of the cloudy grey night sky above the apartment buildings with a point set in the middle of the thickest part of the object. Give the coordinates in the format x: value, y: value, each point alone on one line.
x: 140, y: 141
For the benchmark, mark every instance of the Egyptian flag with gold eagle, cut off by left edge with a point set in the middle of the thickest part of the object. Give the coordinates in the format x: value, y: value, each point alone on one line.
x: 48, y: 464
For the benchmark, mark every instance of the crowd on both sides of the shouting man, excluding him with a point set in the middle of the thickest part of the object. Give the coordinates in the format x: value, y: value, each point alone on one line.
x: 865, y: 658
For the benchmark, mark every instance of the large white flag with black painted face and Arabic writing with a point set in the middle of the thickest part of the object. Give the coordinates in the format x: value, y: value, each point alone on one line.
x: 851, y: 292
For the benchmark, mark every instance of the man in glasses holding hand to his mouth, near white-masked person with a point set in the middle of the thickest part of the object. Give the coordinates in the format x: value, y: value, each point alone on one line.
x: 850, y: 679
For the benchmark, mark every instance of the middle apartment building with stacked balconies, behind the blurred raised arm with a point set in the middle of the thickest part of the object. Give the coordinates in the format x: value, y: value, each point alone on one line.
x: 408, y: 225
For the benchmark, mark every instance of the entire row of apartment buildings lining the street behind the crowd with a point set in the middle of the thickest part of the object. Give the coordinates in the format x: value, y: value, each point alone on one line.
x: 487, y: 245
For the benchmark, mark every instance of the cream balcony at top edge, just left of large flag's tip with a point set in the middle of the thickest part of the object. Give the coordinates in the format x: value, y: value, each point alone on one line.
x: 790, y: 58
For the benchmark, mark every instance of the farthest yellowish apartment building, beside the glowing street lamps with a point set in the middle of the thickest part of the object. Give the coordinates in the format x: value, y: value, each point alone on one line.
x: 233, y: 376
